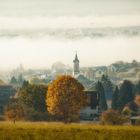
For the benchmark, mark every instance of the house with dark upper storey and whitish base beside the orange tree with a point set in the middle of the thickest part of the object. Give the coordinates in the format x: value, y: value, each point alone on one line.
x: 90, y: 112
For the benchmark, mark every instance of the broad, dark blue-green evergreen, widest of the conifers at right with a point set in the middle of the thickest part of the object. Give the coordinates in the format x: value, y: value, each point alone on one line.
x: 125, y: 94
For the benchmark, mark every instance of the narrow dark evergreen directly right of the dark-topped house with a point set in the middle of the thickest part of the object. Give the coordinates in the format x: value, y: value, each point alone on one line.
x: 102, y: 99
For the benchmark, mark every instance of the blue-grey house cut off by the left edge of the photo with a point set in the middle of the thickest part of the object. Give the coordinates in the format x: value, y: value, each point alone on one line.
x: 6, y: 92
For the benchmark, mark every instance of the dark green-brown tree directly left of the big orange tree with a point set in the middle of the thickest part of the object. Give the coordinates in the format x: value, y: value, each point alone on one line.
x: 32, y: 98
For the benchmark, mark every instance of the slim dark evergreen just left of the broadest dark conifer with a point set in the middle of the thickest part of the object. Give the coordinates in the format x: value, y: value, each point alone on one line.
x: 115, y: 96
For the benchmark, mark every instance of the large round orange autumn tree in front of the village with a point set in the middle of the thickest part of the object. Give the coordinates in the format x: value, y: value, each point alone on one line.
x: 65, y: 97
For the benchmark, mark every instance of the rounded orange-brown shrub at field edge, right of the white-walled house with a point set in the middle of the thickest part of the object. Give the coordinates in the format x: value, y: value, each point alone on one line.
x: 112, y: 117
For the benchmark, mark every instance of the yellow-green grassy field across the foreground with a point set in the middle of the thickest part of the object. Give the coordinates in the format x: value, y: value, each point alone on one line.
x: 59, y: 131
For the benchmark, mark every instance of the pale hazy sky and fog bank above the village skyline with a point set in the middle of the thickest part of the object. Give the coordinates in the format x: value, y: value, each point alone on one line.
x: 37, y: 33
